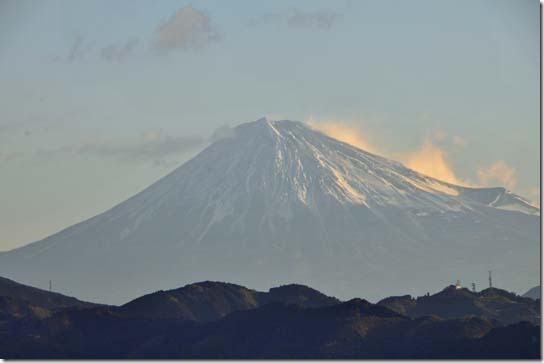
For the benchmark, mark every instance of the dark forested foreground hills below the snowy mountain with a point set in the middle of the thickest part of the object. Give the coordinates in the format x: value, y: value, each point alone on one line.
x: 221, y: 320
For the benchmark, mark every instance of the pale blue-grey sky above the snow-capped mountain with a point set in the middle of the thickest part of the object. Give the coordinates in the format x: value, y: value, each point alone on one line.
x: 92, y: 110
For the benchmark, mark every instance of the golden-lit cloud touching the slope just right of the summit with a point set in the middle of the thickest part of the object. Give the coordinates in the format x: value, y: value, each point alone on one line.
x: 346, y: 132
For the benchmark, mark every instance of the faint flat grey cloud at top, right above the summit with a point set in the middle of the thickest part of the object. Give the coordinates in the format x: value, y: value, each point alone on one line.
x: 323, y: 19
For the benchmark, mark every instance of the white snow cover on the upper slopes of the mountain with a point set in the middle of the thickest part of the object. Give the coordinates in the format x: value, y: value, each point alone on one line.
x: 286, y: 163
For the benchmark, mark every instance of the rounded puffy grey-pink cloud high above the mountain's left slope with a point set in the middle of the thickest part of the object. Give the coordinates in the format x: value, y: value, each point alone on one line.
x: 187, y: 29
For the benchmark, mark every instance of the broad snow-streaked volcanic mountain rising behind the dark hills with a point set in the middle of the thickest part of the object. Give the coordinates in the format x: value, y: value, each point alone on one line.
x: 276, y: 202
